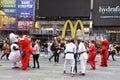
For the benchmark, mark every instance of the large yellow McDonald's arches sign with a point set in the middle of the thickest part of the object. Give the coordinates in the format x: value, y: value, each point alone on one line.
x: 73, y: 28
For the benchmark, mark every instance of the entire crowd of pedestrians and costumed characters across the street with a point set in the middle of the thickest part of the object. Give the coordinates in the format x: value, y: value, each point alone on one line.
x: 74, y: 51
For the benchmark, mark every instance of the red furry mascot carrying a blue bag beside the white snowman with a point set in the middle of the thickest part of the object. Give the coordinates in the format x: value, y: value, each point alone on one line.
x: 25, y: 44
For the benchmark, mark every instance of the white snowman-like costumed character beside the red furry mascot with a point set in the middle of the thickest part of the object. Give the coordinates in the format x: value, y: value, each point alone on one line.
x: 14, y: 56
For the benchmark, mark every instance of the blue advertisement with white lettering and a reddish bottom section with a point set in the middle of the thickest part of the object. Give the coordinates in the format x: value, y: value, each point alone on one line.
x: 25, y: 14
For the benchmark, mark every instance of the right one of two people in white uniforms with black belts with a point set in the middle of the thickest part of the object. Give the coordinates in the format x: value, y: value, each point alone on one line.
x: 83, y: 57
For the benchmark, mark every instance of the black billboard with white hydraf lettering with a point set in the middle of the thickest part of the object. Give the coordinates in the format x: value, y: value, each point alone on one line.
x: 106, y: 13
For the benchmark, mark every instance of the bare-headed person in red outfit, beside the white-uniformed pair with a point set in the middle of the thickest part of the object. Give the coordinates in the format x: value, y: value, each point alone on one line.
x: 92, y: 54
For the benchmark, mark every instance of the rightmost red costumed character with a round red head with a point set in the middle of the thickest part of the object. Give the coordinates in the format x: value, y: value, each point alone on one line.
x: 104, y: 53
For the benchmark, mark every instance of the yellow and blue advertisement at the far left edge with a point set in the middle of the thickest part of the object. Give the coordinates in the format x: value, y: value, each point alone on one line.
x: 8, y: 14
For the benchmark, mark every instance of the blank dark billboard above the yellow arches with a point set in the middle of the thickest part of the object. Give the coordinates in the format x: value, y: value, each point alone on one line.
x: 64, y: 8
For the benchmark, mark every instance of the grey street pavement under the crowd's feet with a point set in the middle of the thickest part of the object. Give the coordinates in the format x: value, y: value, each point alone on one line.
x: 51, y: 71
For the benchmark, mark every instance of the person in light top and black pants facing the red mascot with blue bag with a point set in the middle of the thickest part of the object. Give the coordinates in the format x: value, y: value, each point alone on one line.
x: 36, y: 53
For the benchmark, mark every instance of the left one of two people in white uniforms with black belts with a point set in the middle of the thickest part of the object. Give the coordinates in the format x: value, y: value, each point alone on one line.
x: 69, y: 57
